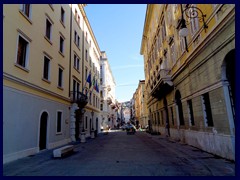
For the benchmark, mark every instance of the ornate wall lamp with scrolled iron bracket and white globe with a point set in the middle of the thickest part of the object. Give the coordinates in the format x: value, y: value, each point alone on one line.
x: 191, y: 12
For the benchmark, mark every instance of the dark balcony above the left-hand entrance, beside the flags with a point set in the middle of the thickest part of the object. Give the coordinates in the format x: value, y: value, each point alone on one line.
x: 79, y: 98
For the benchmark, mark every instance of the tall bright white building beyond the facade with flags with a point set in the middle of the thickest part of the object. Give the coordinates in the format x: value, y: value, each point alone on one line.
x: 107, y: 94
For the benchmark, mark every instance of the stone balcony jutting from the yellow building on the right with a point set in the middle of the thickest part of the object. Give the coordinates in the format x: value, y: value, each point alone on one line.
x: 162, y: 84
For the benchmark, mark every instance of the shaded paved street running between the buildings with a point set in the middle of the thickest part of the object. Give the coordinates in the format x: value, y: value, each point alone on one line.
x: 119, y: 154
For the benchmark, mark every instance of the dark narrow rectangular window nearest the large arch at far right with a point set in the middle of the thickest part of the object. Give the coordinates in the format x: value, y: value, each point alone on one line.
x: 207, y: 110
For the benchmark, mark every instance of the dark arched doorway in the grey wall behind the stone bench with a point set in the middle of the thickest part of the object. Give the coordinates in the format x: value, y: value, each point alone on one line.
x: 43, y: 131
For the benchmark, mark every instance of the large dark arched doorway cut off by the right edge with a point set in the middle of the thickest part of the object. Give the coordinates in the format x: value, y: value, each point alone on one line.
x: 229, y: 75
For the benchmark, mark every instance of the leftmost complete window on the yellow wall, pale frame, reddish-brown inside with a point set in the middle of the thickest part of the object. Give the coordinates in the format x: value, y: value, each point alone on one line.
x: 22, y: 53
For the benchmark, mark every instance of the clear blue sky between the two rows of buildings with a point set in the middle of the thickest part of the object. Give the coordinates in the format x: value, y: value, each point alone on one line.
x: 118, y: 29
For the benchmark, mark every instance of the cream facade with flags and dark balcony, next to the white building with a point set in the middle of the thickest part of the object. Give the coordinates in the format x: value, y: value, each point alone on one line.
x: 84, y: 80
